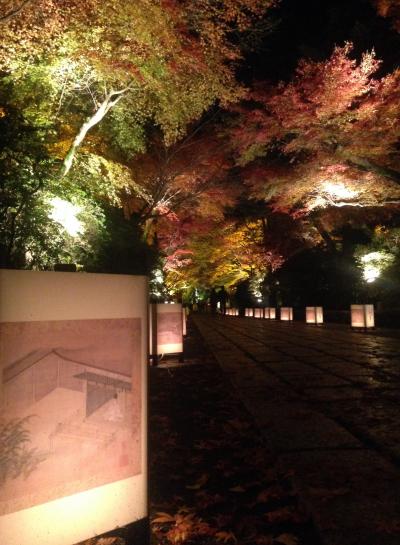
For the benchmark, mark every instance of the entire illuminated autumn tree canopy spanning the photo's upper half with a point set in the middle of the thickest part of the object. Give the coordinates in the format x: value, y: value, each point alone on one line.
x: 176, y: 134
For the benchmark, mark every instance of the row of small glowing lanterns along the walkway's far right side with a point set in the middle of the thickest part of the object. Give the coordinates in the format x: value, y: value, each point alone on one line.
x: 361, y: 315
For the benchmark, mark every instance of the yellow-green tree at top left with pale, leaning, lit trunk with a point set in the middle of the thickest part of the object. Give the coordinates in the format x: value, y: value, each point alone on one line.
x: 167, y: 60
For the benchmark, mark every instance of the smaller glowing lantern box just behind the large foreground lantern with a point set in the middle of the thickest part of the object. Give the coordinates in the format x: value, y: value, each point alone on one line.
x: 166, y: 329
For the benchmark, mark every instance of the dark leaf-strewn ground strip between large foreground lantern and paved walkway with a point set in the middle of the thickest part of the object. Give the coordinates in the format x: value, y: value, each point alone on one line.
x: 212, y: 479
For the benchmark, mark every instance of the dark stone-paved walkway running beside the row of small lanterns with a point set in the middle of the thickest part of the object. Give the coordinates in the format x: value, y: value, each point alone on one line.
x: 327, y: 400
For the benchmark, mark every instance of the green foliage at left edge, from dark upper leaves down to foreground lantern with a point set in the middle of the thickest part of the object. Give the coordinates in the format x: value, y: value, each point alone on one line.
x: 29, y: 180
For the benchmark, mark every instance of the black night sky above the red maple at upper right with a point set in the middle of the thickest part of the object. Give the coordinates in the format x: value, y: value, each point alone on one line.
x: 312, y: 28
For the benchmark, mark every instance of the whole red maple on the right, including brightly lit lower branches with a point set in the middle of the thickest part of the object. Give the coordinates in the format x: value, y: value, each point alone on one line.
x: 327, y: 139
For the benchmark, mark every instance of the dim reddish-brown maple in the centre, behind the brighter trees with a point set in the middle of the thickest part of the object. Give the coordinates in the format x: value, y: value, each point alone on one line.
x: 177, y: 179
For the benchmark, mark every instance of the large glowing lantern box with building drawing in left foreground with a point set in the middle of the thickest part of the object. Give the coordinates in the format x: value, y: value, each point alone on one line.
x: 73, y: 363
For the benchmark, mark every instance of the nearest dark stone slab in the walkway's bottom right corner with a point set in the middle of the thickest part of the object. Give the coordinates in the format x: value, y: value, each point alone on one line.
x: 353, y: 494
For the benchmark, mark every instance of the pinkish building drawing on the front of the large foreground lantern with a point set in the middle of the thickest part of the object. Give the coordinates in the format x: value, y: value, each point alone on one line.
x: 82, y: 417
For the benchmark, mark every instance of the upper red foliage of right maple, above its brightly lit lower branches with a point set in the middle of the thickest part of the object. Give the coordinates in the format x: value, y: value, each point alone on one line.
x: 333, y: 110
